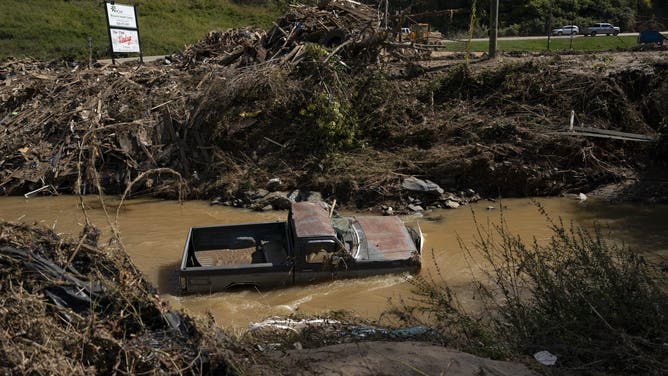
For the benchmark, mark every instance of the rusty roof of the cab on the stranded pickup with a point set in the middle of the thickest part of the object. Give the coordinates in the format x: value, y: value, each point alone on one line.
x: 311, y: 219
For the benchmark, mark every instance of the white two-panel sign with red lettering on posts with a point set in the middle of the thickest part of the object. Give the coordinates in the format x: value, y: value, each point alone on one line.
x: 123, y: 29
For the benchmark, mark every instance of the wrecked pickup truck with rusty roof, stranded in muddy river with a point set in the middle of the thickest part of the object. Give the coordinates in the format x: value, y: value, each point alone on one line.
x: 311, y: 246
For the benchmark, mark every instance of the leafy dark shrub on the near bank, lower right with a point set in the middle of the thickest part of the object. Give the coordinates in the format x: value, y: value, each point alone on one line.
x: 598, y: 306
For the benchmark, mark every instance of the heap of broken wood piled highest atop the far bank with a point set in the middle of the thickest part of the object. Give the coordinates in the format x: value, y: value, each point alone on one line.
x: 349, y: 28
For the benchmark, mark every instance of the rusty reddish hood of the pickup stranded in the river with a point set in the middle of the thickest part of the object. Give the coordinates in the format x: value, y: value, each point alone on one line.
x: 387, y: 238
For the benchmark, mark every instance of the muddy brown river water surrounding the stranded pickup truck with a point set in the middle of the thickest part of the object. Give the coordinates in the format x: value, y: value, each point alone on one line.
x: 154, y: 232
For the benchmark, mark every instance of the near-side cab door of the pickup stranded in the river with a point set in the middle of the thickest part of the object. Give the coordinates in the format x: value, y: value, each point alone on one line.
x: 316, y: 261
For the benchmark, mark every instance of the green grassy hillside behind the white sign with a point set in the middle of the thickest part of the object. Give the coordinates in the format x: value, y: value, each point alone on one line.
x: 60, y: 28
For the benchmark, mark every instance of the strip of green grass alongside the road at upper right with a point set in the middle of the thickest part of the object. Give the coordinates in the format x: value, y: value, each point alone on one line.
x: 600, y: 43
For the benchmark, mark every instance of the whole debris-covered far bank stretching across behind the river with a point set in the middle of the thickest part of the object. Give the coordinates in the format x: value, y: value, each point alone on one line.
x: 314, y: 105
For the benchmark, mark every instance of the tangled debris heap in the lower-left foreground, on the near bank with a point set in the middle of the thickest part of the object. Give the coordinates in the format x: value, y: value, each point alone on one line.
x: 70, y: 307
